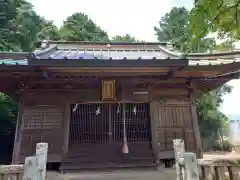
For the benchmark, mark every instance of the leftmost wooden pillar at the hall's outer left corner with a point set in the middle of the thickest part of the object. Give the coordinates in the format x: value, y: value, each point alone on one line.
x: 17, y: 140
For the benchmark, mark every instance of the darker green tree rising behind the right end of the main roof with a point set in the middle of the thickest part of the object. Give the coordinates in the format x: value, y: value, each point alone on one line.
x: 174, y: 27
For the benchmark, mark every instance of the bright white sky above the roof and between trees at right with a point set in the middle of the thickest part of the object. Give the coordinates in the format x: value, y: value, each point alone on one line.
x: 120, y: 17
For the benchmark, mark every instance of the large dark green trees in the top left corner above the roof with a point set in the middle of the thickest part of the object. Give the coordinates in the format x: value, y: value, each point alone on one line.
x: 22, y: 28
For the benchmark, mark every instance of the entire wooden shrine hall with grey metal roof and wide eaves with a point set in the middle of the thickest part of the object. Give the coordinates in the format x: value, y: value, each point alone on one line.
x: 110, y: 104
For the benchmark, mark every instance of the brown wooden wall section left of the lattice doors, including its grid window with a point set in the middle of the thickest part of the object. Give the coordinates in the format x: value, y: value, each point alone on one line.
x: 42, y: 124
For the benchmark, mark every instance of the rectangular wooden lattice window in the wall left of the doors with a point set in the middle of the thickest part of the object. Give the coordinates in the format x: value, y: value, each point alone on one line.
x: 42, y: 118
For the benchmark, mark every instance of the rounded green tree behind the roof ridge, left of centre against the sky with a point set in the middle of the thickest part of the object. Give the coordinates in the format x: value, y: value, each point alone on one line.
x: 79, y: 27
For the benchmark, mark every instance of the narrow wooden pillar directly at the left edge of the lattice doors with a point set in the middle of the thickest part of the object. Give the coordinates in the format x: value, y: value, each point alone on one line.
x: 66, y: 123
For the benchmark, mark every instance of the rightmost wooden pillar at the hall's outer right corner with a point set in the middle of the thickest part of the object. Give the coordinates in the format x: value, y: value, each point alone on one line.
x: 193, y: 110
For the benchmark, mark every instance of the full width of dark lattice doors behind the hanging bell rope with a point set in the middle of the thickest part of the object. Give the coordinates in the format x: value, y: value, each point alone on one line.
x: 103, y: 123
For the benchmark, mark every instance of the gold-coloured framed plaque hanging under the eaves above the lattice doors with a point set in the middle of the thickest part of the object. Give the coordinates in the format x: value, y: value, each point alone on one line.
x: 108, y: 90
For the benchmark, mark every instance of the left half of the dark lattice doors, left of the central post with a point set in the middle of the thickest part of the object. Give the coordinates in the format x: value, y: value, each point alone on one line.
x: 89, y: 124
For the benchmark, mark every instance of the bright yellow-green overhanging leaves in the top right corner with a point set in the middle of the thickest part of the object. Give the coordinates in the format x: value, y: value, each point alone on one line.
x: 222, y: 16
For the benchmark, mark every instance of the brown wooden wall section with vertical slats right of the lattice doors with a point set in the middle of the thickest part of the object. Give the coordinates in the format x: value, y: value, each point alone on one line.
x: 172, y: 120
